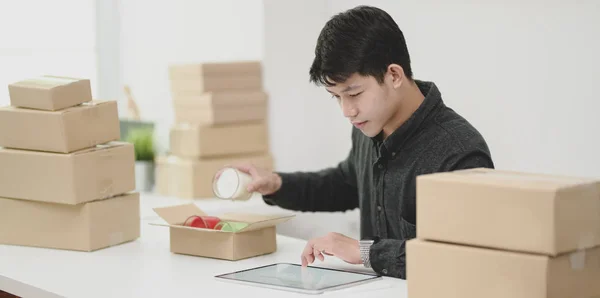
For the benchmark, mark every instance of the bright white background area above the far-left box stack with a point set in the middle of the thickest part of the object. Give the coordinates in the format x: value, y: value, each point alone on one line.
x: 41, y: 37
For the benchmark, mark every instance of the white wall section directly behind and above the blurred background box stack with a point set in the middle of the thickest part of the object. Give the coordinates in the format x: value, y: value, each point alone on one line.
x: 155, y: 34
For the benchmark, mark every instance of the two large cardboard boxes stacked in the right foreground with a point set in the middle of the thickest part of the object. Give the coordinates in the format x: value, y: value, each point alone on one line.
x: 498, y: 234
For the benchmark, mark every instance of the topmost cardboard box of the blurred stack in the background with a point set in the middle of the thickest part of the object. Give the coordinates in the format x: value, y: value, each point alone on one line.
x: 195, y: 79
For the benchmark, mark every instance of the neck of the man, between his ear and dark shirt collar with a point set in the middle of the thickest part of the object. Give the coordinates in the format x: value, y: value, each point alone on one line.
x: 408, y: 105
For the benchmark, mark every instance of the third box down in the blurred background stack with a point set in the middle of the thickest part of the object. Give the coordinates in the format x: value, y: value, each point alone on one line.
x: 219, y: 140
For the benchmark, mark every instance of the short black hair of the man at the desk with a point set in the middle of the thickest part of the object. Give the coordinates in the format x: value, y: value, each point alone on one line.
x: 363, y: 40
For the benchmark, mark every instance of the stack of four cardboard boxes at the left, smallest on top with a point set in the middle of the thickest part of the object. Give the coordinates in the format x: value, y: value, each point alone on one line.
x: 64, y: 181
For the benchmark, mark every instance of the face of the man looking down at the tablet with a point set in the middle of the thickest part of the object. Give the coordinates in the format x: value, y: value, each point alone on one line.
x: 366, y: 103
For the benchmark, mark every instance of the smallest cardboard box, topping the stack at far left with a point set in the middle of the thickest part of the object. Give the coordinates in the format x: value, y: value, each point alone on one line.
x: 50, y: 93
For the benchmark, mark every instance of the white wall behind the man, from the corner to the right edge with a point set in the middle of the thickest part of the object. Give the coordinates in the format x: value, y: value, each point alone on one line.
x: 523, y: 72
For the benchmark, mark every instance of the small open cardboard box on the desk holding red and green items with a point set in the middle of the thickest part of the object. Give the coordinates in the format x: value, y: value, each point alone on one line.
x: 258, y: 238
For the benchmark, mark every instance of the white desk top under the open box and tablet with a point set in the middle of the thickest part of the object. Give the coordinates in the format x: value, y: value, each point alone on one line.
x: 146, y: 268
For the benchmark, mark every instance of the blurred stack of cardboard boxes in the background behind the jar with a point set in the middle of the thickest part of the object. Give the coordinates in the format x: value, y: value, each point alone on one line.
x: 220, y: 119
